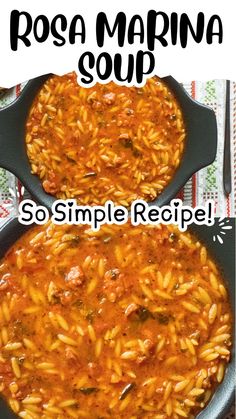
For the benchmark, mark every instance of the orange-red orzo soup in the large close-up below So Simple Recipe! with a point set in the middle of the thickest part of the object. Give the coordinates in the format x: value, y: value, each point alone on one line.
x: 127, y: 322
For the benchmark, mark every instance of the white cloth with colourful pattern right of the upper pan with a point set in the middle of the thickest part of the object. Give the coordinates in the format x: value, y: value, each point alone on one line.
x: 208, y: 182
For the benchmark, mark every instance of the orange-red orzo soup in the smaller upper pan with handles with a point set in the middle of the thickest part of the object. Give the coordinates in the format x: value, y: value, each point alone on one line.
x: 104, y: 142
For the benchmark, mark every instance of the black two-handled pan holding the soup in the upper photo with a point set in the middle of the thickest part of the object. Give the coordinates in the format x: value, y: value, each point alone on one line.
x: 200, y: 150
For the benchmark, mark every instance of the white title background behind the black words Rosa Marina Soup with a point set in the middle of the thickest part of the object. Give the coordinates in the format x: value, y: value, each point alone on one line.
x: 196, y: 61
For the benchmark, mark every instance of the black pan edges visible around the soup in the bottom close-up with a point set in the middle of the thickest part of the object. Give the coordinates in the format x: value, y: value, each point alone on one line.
x: 223, y: 254
